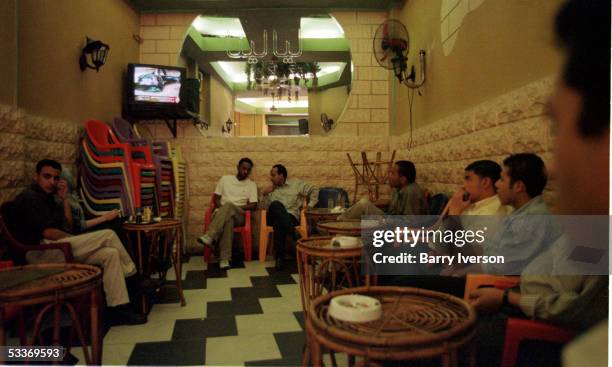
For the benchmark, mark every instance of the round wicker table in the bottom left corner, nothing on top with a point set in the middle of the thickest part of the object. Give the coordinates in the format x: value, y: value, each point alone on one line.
x: 55, y: 286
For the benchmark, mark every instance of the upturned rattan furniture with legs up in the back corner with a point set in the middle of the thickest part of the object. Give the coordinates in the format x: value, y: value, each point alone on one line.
x: 371, y: 174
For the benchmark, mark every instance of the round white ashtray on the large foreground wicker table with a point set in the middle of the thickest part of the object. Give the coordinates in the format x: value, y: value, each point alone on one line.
x: 355, y: 308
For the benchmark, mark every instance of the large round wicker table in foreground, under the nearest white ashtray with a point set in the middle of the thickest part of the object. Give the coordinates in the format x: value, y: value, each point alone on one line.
x: 415, y: 324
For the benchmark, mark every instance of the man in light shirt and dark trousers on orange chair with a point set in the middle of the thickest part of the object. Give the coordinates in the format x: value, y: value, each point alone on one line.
x: 283, y: 202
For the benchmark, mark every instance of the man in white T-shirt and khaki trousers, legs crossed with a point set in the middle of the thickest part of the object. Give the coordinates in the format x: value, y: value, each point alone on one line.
x: 233, y: 195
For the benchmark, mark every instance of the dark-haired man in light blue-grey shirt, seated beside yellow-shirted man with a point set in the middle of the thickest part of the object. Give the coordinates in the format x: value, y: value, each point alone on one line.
x: 526, y: 232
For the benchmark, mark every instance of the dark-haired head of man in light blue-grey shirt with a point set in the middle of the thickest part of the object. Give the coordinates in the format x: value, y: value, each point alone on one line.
x: 523, y: 178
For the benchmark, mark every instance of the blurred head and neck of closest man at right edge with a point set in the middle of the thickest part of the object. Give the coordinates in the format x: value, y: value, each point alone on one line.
x: 580, y: 108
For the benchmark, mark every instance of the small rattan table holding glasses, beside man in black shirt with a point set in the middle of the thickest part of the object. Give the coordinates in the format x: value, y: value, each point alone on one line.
x: 173, y: 228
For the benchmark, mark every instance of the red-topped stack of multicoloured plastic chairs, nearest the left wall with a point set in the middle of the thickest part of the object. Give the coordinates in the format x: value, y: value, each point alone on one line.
x: 114, y: 175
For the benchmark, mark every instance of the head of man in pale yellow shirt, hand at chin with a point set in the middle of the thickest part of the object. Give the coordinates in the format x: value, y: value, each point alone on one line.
x: 480, y: 178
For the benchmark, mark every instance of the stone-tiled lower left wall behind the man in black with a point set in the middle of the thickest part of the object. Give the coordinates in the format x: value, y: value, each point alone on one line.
x: 24, y: 140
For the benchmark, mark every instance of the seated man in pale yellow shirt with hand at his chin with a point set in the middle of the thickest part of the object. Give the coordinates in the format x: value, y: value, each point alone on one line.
x: 482, y: 207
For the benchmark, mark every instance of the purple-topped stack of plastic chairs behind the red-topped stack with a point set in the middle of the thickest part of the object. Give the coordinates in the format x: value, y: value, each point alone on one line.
x: 160, y: 185
